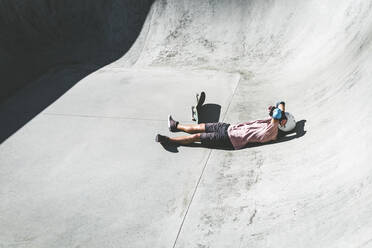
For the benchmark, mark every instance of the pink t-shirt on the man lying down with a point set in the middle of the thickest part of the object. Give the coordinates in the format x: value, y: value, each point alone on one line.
x: 251, y: 132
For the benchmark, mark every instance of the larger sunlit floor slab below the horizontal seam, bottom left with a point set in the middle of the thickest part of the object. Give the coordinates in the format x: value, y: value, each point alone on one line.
x: 105, y: 189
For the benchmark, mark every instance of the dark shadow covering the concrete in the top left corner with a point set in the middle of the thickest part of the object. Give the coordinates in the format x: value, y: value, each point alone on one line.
x: 47, y: 46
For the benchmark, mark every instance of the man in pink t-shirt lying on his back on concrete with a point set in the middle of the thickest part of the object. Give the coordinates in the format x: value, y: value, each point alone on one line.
x: 228, y: 136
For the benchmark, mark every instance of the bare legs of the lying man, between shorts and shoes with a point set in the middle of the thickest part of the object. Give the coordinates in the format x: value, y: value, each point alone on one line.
x: 194, y: 129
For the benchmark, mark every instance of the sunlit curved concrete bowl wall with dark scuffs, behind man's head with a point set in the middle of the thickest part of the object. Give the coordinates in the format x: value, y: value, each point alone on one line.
x: 317, y: 56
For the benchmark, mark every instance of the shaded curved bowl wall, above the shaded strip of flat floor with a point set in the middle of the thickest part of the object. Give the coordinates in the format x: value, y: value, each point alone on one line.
x: 40, y: 35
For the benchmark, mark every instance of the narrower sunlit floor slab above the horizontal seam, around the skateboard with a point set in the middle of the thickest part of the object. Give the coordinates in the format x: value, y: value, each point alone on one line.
x: 145, y: 94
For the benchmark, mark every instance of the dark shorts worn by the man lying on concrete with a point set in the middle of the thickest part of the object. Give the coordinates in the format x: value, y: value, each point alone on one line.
x: 216, y: 135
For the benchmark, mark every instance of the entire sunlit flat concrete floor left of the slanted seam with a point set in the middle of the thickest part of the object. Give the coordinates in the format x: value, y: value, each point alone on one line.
x: 91, y: 154
